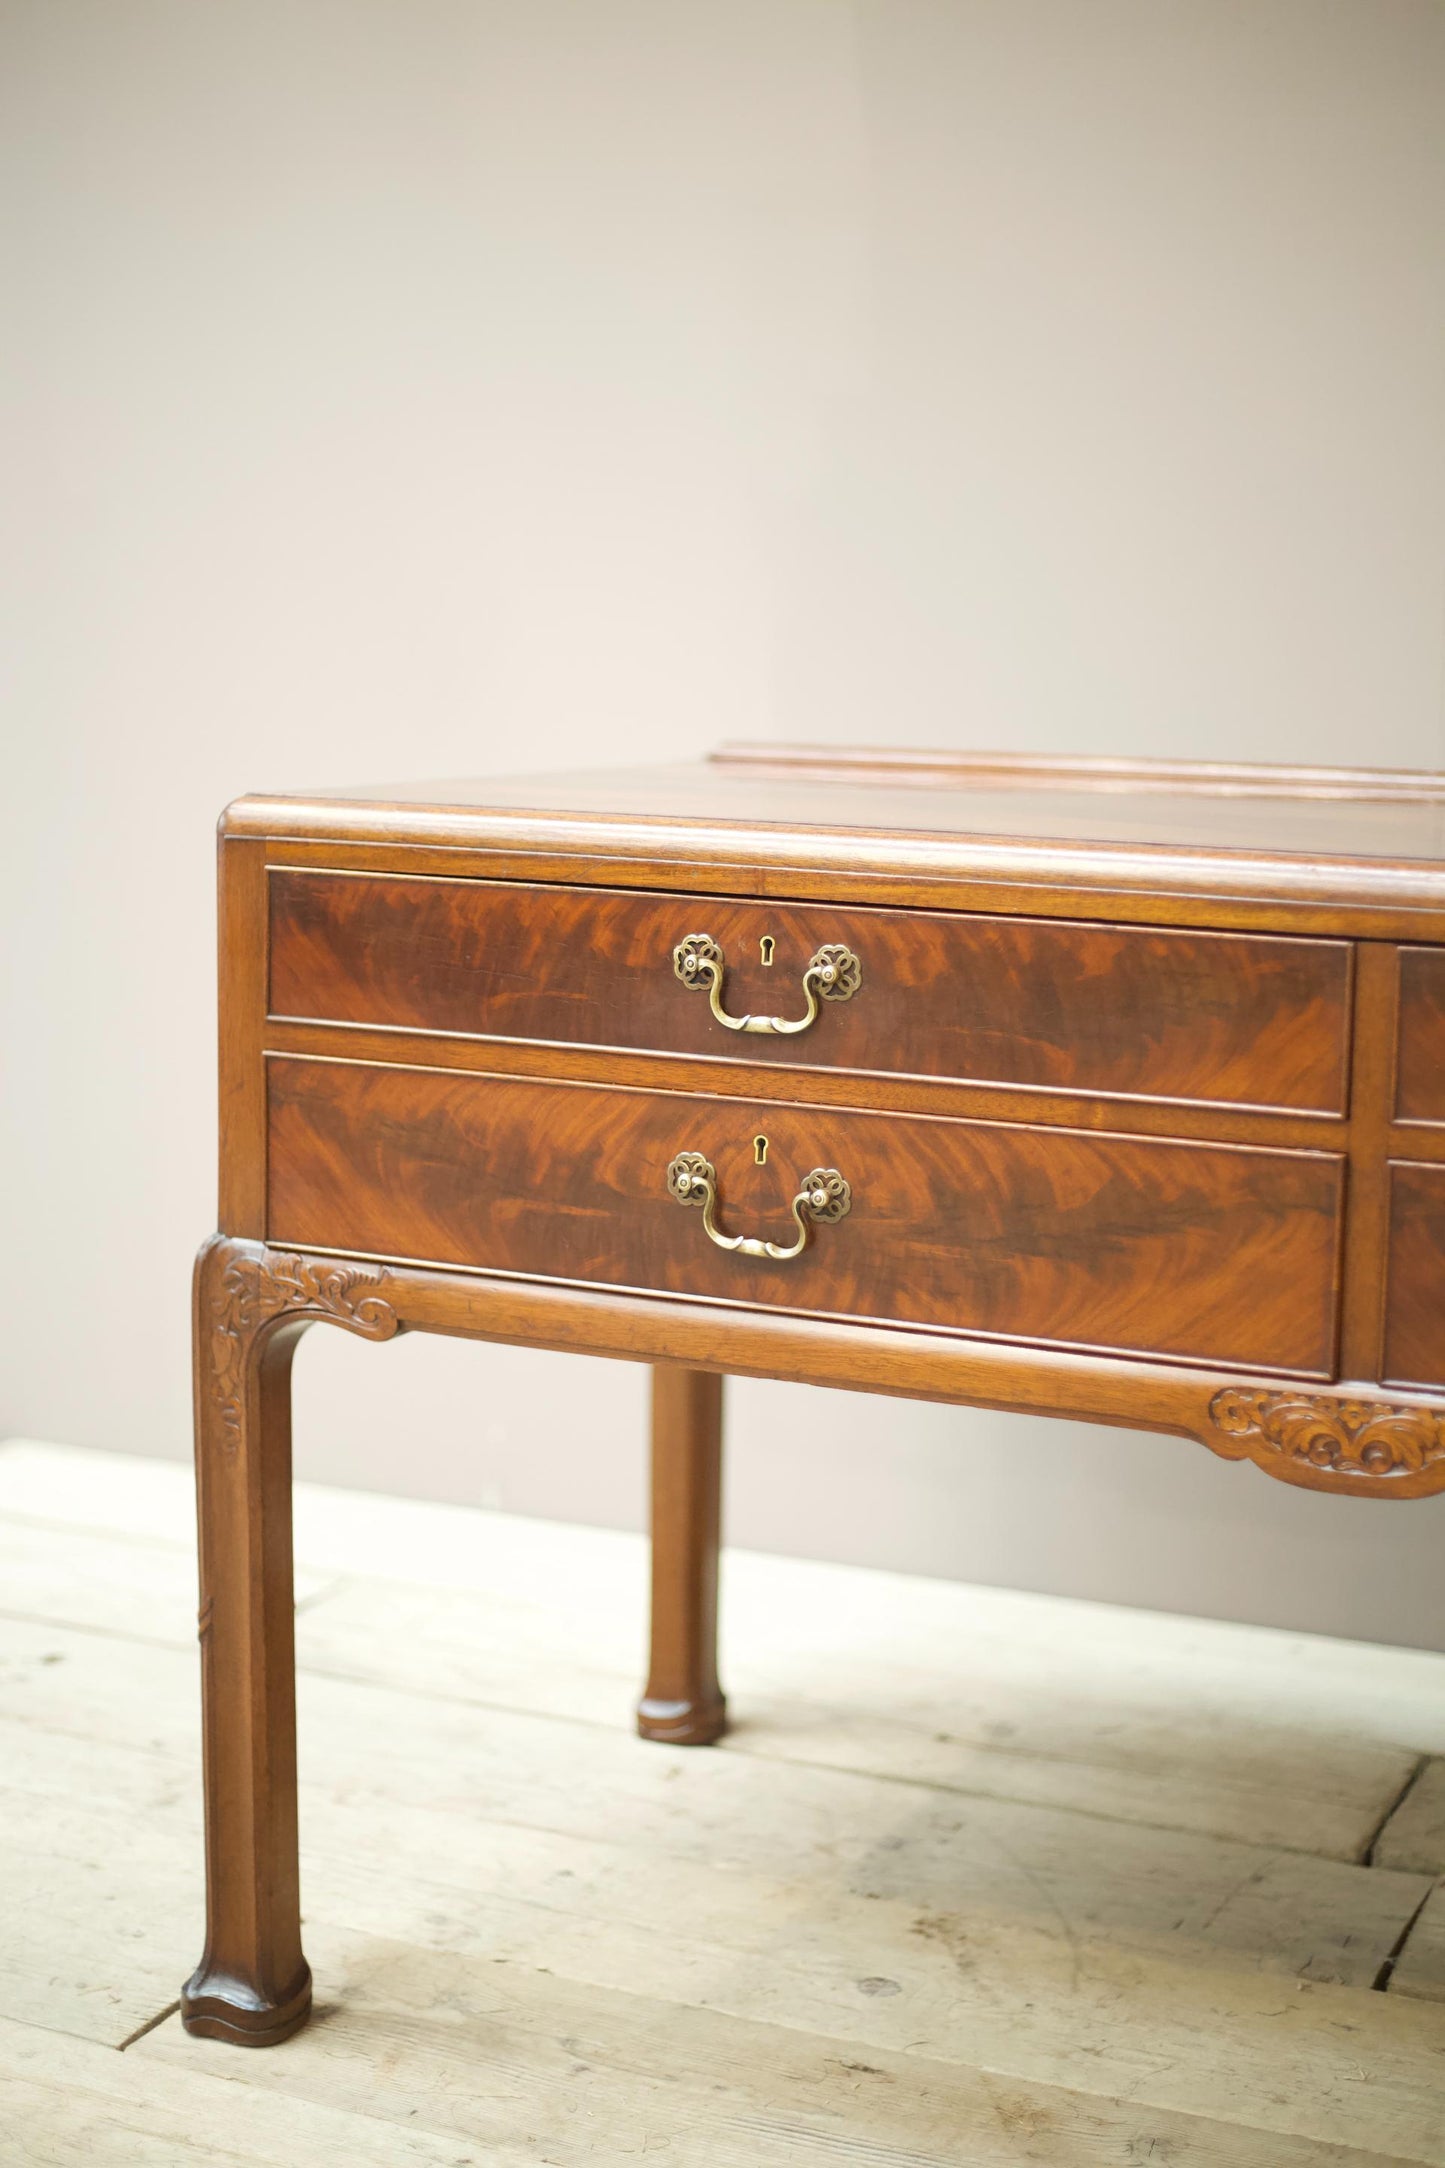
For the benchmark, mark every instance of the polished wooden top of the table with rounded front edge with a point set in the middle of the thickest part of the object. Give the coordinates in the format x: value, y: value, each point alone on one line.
x: 1331, y: 849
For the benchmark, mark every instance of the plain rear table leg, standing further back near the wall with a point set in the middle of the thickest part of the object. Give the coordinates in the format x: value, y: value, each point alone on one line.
x: 684, y: 1703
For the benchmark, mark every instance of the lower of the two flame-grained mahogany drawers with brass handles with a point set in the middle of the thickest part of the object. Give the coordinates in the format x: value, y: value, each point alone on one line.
x: 1216, y: 1254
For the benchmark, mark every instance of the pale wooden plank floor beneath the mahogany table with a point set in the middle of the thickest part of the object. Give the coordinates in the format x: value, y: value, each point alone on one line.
x: 978, y: 1881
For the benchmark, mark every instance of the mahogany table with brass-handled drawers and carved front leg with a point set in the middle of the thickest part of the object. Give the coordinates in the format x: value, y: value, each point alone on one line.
x: 1082, y: 1087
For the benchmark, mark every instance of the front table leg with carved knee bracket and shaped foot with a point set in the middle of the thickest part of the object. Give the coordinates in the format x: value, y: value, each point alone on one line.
x: 250, y: 1311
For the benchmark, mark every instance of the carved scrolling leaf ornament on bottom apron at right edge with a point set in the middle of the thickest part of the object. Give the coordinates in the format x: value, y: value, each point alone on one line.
x: 1362, y: 1441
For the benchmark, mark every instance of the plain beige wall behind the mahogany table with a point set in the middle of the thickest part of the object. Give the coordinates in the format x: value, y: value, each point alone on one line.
x: 478, y: 387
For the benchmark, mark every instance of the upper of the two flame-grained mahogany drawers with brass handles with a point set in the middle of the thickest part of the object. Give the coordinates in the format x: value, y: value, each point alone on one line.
x: 1234, y: 1020
